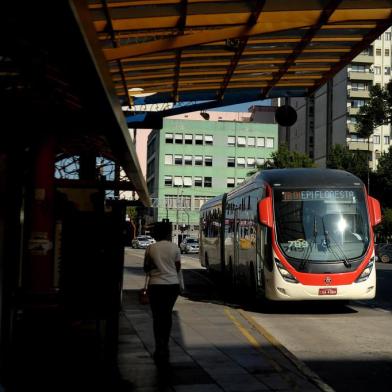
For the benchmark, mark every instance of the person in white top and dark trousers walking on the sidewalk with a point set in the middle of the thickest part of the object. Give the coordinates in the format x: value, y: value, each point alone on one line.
x: 162, y: 261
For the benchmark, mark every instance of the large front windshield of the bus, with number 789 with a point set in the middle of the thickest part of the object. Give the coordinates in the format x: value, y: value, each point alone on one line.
x: 321, y: 225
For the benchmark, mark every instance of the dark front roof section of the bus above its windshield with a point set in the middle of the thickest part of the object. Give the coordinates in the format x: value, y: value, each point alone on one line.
x: 308, y: 177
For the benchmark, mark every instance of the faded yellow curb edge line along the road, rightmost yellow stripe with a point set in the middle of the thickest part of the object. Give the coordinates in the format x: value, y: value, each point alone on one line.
x: 305, y: 370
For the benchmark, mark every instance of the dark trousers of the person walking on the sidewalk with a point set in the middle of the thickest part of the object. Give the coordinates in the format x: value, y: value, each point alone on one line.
x: 162, y: 300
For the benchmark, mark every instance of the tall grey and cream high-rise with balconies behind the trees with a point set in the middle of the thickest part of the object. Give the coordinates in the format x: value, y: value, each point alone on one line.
x: 328, y: 117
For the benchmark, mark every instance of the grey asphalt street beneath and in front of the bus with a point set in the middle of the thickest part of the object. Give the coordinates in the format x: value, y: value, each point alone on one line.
x: 348, y: 346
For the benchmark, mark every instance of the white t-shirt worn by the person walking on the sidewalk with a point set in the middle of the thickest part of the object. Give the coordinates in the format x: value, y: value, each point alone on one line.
x: 163, y: 255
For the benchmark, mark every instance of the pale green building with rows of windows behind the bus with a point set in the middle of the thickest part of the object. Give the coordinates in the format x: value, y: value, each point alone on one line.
x: 190, y: 161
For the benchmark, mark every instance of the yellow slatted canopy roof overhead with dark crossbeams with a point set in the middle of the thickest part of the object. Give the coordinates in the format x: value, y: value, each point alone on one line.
x: 229, y: 51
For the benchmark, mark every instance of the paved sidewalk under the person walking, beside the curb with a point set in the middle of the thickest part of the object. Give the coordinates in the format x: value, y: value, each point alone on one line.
x: 213, y: 348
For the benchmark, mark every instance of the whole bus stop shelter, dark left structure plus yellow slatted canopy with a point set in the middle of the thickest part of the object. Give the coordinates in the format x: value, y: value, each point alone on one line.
x: 76, y: 75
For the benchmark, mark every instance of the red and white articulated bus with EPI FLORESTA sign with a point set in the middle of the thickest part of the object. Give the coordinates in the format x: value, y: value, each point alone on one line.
x: 294, y: 234
